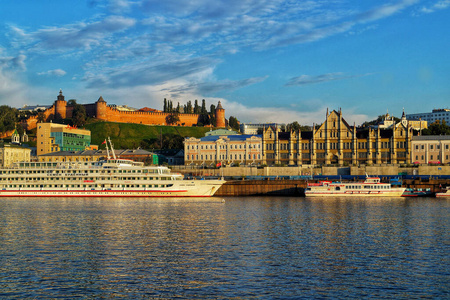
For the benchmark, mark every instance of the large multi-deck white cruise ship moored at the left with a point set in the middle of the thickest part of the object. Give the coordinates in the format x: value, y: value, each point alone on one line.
x: 113, y: 177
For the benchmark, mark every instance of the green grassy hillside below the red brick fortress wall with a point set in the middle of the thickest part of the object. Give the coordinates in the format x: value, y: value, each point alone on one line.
x: 131, y: 136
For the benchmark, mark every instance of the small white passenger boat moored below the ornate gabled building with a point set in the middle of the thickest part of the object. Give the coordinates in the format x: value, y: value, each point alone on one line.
x: 372, y: 187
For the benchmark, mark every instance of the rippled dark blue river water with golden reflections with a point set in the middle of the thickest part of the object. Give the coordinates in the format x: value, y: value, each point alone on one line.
x: 231, y: 248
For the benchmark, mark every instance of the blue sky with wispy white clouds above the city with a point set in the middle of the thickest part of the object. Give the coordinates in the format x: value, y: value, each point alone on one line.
x: 265, y: 60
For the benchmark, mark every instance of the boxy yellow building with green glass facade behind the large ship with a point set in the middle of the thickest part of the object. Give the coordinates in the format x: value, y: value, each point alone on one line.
x: 53, y: 137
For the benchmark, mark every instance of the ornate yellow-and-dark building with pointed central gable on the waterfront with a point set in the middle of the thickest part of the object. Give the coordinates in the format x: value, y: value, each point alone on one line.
x: 335, y: 142
